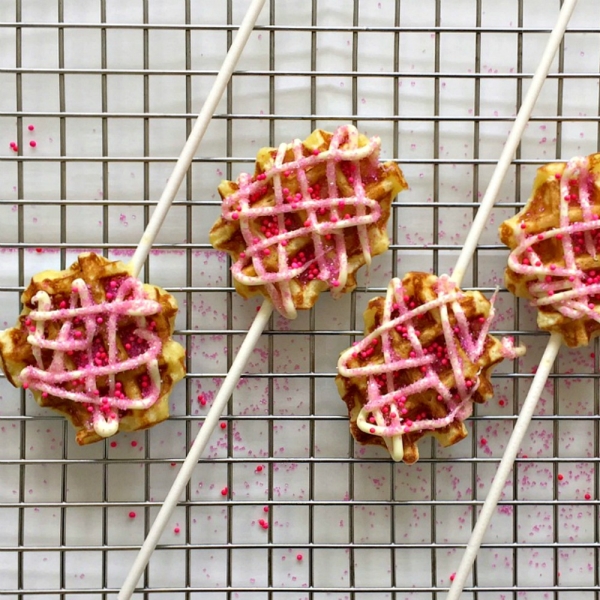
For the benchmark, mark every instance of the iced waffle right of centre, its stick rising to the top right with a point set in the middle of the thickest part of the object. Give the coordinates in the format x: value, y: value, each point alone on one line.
x: 426, y: 357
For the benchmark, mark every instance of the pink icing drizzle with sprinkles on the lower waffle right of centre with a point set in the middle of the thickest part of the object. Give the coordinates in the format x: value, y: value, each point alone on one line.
x: 384, y: 413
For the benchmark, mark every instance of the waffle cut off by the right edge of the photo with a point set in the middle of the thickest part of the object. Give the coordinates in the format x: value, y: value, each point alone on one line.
x: 555, y: 249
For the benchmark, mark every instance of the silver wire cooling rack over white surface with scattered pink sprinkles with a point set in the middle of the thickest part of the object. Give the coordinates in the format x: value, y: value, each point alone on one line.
x: 285, y: 505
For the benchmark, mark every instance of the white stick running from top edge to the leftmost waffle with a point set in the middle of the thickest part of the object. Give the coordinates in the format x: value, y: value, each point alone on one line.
x: 189, y: 149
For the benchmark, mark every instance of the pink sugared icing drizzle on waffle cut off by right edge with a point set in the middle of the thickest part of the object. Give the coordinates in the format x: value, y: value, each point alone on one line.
x: 568, y: 288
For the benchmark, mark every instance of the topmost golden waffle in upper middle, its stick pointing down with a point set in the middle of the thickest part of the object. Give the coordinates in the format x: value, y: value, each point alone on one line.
x: 310, y: 207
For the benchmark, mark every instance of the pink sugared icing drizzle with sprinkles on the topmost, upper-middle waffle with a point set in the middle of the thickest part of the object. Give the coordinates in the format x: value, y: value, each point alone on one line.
x: 310, y: 212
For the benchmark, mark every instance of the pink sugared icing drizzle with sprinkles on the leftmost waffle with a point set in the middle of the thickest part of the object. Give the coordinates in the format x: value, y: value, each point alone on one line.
x: 85, y: 350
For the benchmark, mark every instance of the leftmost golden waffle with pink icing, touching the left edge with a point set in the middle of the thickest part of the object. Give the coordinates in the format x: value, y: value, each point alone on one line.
x: 28, y: 355
